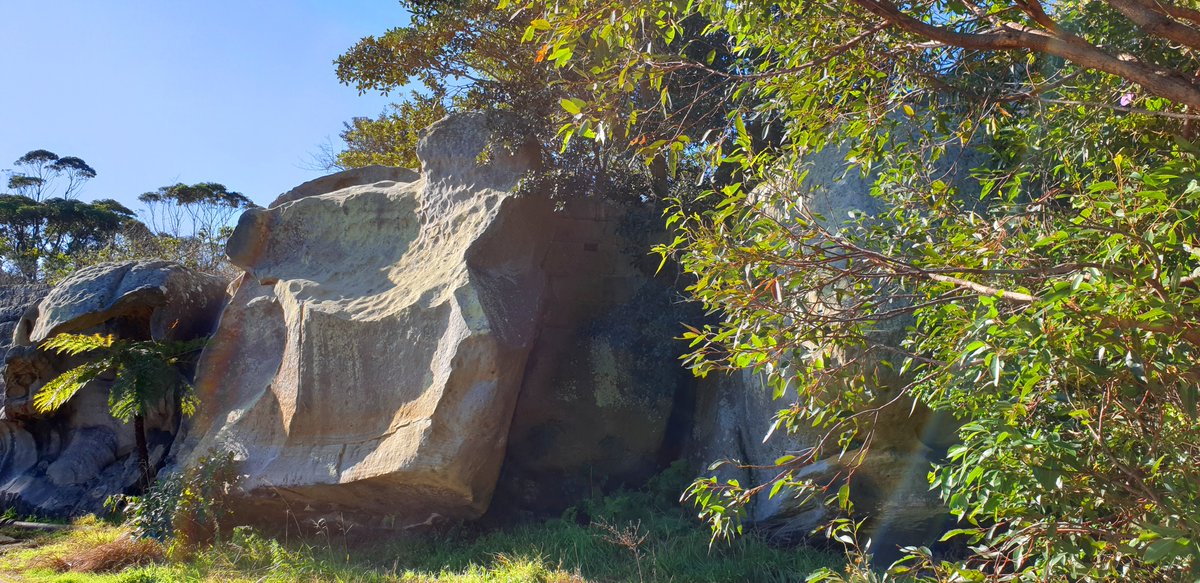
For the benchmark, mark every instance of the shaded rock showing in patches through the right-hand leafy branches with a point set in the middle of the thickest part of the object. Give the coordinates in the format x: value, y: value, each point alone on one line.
x: 735, y: 416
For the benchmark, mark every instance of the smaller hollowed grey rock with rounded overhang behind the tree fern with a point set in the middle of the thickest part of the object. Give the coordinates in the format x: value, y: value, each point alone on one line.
x: 68, y: 464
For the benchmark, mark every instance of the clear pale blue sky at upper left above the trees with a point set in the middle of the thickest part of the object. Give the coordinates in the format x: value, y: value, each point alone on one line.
x: 152, y: 93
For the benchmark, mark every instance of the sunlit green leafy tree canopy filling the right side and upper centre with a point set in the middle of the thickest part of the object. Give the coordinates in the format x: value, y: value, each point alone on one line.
x: 1047, y: 286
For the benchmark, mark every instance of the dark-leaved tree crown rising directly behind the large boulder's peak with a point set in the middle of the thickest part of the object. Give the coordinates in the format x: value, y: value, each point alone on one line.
x: 475, y: 56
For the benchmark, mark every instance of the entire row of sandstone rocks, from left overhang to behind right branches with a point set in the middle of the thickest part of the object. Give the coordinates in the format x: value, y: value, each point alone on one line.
x: 407, y: 347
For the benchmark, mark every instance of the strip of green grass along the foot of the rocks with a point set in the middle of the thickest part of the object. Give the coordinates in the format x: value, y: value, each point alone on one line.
x: 629, y: 538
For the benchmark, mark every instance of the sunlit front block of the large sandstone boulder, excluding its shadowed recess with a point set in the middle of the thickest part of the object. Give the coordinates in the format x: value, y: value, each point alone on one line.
x: 370, y: 358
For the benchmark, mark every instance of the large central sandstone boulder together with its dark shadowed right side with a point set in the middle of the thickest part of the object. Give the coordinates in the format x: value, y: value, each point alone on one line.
x: 394, y: 344
